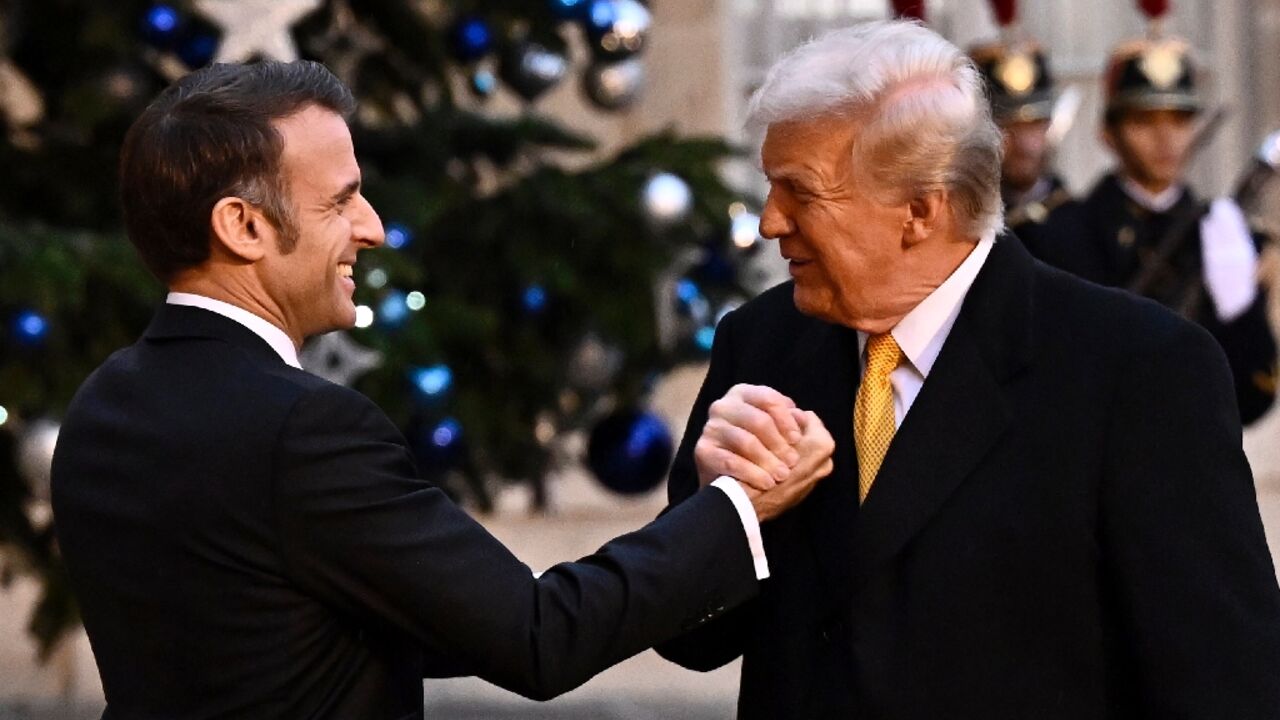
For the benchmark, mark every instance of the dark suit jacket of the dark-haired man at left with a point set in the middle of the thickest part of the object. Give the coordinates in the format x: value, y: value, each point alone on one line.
x: 250, y: 541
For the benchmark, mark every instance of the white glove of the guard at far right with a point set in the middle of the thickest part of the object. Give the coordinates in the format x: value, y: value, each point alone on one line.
x: 1231, y: 259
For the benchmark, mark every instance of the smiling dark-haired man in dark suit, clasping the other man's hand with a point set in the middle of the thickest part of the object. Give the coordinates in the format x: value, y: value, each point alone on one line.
x: 250, y: 541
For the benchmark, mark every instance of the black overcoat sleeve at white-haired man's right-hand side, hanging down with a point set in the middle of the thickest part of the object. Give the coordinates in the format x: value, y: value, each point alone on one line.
x: 1183, y: 541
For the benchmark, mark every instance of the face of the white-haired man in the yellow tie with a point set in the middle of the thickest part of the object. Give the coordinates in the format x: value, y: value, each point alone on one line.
x: 854, y: 257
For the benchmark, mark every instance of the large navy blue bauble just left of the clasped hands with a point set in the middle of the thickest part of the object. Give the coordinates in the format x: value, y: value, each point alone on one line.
x: 630, y: 452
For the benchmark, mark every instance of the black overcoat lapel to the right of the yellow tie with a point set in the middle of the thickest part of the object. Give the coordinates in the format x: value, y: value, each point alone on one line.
x: 961, y: 413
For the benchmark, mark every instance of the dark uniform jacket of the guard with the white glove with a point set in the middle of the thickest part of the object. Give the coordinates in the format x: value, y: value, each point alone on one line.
x: 1118, y: 236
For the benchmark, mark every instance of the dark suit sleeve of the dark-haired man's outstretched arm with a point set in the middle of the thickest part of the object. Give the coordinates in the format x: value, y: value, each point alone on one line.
x: 363, y: 532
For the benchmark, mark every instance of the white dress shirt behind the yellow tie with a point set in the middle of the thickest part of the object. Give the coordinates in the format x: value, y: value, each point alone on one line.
x: 924, y: 331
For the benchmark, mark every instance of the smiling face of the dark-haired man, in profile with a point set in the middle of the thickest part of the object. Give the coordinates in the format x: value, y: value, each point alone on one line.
x: 312, y: 285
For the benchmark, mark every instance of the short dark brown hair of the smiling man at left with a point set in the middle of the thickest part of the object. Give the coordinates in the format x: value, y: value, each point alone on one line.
x: 211, y: 136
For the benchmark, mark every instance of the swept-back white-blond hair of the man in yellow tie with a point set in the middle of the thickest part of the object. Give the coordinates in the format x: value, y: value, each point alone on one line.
x: 926, y: 120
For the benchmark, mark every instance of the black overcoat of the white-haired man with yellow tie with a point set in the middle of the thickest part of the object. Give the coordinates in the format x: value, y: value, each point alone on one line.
x: 1064, y: 528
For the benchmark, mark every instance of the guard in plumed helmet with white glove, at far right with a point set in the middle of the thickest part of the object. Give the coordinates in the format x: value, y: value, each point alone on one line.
x: 1146, y: 231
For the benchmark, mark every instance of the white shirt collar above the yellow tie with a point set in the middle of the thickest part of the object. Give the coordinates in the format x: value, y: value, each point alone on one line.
x: 925, y: 330
